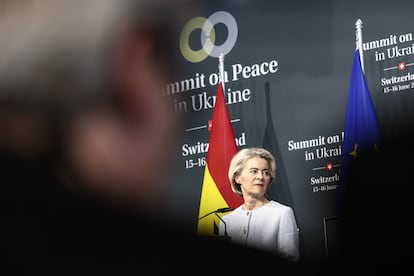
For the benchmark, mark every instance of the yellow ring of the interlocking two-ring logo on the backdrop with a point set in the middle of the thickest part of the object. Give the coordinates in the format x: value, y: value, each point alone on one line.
x: 188, y: 53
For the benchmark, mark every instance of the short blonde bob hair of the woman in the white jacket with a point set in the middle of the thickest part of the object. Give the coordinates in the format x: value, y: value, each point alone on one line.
x: 238, y: 162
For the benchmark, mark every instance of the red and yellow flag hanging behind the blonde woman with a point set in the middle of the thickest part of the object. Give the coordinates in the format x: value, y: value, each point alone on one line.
x: 216, y: 190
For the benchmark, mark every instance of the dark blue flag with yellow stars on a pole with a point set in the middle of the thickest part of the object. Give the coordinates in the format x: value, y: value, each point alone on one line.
x: 362, y: 131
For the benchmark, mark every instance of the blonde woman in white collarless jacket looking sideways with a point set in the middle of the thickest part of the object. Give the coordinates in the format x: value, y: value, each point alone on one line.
x: 259, y: 222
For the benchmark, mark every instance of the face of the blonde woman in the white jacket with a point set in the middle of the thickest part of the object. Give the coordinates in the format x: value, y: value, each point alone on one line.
x: 255, y: 177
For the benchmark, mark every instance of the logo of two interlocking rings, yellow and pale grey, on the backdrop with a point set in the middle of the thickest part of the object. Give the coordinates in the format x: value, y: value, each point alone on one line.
x: 208, y: 36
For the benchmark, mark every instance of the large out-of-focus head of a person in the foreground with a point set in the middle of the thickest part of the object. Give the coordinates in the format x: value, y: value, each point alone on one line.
x: 82, y: 81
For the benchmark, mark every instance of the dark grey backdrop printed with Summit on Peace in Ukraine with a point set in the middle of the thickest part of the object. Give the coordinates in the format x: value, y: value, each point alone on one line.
x: 287, y: 68
